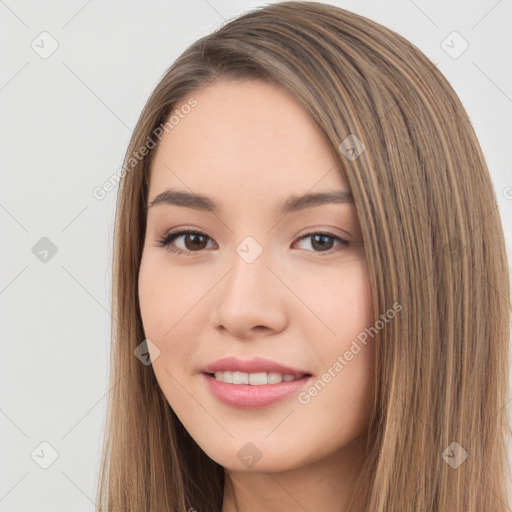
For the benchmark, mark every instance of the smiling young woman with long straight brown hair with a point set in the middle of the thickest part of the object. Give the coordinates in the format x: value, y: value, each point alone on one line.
x: 310, y: 270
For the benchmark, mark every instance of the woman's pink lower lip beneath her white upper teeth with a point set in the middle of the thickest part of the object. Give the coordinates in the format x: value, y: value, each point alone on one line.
x: 247, y: 396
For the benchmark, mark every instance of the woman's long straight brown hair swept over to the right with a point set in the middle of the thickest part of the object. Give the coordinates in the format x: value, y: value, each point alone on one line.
x: 433, y: 242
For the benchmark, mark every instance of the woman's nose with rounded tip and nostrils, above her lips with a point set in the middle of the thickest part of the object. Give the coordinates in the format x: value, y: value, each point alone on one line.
x: 250, y: 301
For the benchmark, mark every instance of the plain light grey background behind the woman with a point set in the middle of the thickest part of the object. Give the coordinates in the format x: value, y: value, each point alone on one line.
x: 66, y: 122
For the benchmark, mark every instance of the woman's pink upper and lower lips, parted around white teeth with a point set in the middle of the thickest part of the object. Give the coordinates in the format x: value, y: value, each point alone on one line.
x: 247, y: 396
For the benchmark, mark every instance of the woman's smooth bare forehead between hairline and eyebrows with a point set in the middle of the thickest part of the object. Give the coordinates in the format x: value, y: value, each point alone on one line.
x: 244, y: 139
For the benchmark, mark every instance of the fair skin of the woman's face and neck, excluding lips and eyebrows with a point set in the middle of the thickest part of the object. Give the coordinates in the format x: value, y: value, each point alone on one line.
x: 249, y: 146
